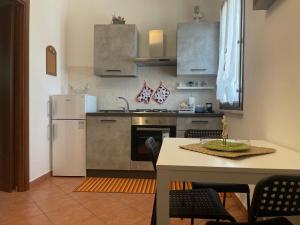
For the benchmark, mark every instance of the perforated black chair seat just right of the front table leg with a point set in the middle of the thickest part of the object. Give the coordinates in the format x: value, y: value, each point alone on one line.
x: 202, y: 203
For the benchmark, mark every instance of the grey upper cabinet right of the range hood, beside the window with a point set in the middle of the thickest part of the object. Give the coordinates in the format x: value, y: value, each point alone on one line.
x: 198, y: 48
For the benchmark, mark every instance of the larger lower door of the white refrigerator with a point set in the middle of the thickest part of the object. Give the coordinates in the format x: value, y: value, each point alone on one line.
x: 69, y: 147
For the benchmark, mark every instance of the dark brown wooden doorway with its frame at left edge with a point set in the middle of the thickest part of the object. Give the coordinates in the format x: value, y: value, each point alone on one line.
x: 14, y: 95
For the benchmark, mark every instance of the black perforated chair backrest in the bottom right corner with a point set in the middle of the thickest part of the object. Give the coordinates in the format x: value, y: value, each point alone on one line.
x: 276, y: 196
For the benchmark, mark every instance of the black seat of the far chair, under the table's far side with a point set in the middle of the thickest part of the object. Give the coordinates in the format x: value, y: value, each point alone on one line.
x: 220, y: 187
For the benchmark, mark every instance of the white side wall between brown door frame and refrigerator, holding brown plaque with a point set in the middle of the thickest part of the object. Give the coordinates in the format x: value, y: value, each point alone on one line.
x: 47, y: 27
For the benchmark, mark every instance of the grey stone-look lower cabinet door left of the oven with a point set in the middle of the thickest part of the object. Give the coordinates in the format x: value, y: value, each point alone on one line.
x: 108, y: 143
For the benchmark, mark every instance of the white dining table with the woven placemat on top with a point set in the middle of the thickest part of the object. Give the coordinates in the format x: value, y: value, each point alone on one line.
x: 176, y: 164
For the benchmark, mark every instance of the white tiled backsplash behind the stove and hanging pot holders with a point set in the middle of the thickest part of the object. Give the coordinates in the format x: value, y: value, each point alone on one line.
x: 107, y: 89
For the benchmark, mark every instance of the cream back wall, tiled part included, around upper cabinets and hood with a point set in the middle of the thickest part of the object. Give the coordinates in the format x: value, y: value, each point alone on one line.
x: 147, y: 15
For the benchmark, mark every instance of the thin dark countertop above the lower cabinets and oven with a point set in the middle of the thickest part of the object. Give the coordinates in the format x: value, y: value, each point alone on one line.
x: 154, y: 114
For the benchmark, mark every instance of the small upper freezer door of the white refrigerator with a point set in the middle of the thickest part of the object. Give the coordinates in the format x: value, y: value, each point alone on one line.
x: 68, y: 107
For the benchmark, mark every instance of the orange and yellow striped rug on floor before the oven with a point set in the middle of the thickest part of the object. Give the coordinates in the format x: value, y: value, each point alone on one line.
x: 124, y: 185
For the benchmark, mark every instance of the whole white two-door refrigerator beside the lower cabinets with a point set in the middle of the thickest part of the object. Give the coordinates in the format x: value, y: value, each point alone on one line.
x: 68, y: 133
